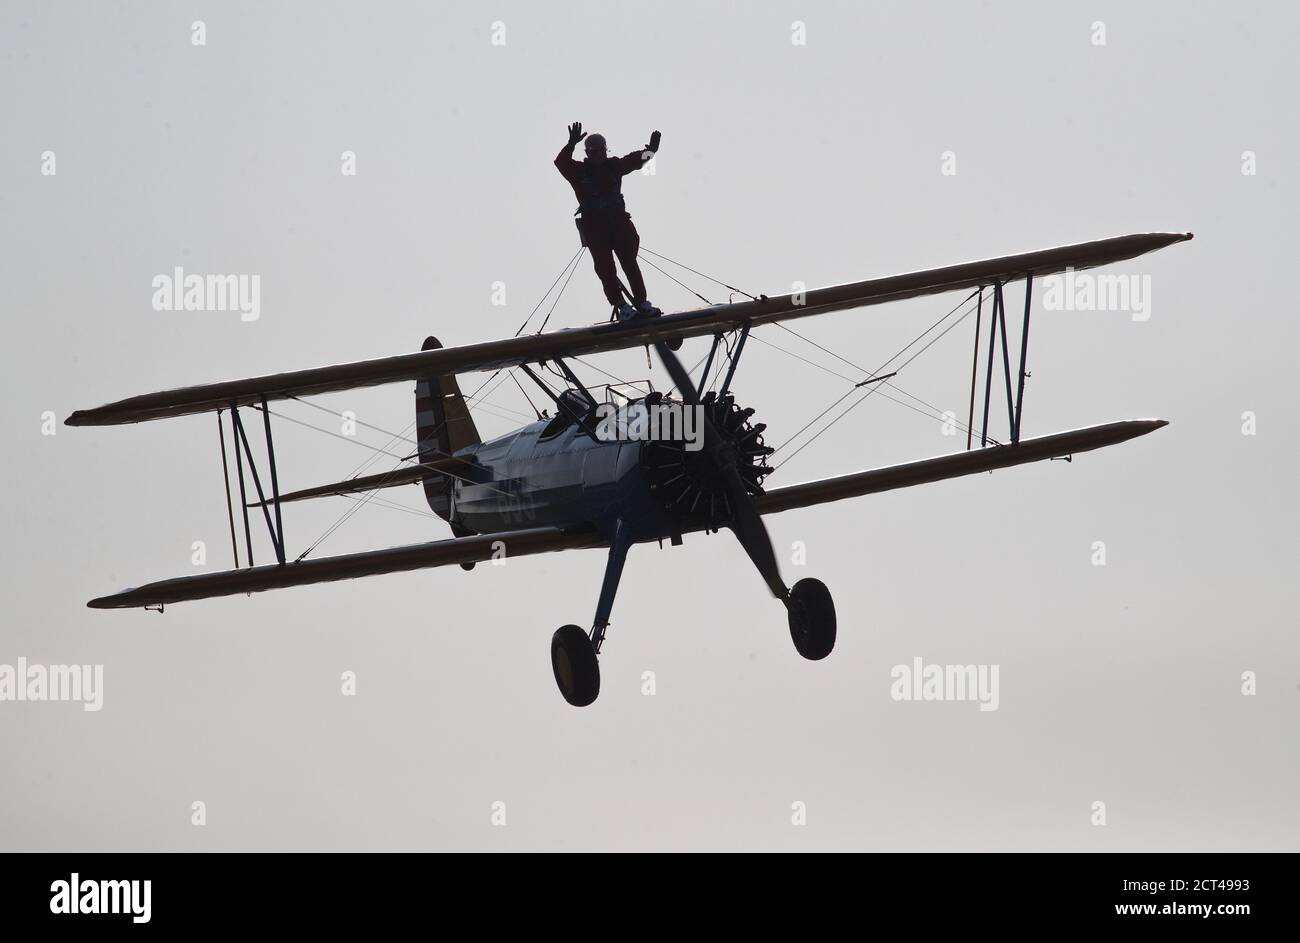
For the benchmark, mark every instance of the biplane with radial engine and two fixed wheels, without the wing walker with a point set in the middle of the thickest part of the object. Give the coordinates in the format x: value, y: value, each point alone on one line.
x: 556, y: 485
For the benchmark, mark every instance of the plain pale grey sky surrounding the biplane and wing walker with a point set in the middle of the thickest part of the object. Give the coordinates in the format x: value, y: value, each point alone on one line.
x: 781, y: 163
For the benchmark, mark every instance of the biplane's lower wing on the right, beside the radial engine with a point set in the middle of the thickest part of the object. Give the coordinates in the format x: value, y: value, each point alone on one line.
x: 955, y: 466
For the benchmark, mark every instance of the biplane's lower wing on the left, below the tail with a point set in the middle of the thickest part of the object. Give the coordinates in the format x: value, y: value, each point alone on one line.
x: 350, y: 566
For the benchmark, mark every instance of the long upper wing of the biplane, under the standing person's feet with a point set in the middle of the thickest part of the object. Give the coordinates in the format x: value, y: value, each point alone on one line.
x: 619, y: 336
